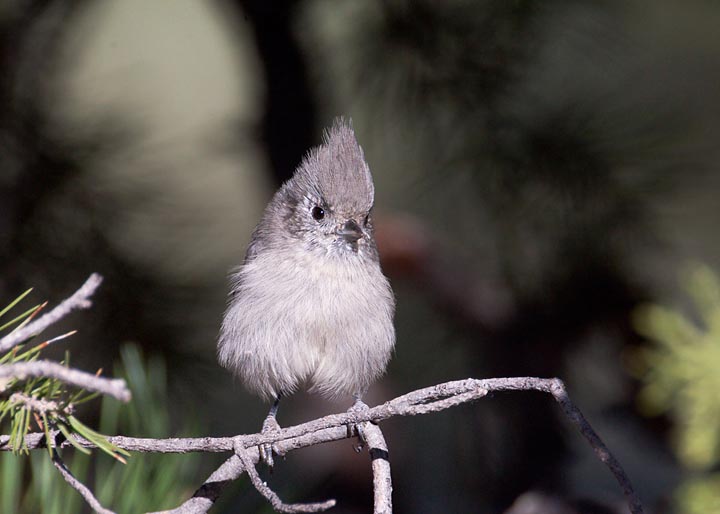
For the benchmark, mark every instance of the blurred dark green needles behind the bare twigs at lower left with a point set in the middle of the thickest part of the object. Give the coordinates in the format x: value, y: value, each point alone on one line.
x: 147, y: 482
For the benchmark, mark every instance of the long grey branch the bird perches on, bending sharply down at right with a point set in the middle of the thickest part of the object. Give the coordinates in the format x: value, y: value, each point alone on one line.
x: 333, y: 427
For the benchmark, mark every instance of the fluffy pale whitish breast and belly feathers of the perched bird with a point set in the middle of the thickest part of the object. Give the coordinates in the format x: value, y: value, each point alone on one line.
x: 308, y: 326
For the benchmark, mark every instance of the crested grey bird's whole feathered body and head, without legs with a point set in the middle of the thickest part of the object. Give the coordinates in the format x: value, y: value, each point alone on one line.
x: 310, y: 305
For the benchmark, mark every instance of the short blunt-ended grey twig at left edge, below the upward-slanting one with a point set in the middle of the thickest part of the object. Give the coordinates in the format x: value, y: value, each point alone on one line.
x: 114, y: 387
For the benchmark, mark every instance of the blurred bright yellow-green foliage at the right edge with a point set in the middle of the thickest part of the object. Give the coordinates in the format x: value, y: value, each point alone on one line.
x: 680, y: 378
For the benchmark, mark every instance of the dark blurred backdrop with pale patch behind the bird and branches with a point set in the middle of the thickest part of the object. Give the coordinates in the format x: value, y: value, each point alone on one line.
x: 541, y: 168
